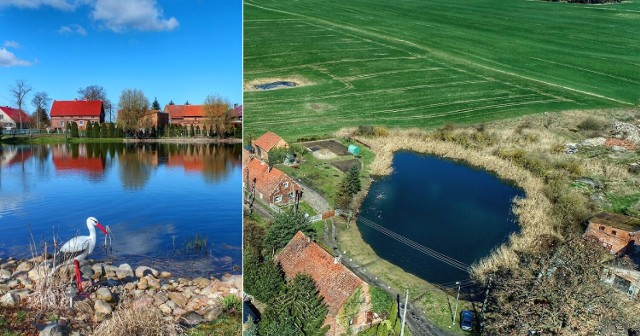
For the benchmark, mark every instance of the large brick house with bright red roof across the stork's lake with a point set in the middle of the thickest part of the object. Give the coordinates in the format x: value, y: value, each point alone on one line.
x: 81, y: 112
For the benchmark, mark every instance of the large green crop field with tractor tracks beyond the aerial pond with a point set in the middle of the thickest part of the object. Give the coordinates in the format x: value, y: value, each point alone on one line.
x: 425, y: 63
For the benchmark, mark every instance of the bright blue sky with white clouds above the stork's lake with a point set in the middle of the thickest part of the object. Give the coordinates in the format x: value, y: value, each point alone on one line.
x: 173, y: 50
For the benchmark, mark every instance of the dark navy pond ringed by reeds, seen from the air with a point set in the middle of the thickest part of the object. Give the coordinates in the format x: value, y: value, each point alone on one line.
x: 459, y: 211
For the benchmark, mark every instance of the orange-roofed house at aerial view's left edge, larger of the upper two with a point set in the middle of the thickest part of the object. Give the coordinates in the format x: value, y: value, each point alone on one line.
x: 271, y: 185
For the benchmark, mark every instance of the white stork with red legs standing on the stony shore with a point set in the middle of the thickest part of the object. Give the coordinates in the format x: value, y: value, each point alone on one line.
x: 79, y: 248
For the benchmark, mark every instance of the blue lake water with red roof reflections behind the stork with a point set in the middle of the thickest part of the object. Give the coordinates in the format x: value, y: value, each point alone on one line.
x: 162, y: 202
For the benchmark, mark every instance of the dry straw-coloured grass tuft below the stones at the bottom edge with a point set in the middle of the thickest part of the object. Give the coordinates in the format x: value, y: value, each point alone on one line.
x: 147, y: 320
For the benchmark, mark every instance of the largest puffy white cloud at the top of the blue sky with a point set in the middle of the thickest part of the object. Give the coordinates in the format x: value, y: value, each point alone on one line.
x: 143, y: 15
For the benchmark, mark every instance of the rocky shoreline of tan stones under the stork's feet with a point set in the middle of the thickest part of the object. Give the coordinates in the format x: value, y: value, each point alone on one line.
x: 188, y: 302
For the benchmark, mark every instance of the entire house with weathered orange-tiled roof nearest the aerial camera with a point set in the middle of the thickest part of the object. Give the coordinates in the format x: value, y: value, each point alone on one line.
x: 335, y: 282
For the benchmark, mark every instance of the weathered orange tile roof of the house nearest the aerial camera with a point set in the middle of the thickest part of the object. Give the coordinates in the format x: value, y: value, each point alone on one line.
x: 335, y: 282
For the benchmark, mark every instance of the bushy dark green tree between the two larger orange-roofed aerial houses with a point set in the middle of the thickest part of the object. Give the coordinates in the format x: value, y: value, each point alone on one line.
x: 284, y: 227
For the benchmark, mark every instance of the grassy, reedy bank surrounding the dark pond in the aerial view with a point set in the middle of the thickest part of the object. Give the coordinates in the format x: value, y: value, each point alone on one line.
x: 530, y: 152
